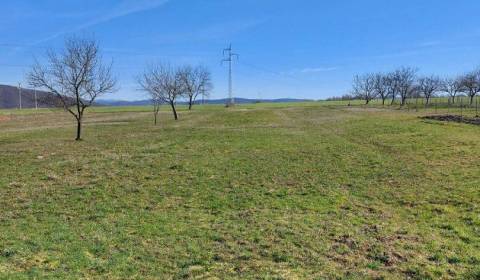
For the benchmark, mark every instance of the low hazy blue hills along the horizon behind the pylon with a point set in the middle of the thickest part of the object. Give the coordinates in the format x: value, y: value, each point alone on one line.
x: 106, y: 102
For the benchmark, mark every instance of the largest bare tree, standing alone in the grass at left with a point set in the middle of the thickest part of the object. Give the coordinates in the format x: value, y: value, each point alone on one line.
x: 76, y: 76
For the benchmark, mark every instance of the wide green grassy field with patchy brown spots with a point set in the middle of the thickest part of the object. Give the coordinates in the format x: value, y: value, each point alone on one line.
x: 282, y: 191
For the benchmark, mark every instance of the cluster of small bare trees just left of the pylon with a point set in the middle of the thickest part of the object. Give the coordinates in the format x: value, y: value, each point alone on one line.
x: 166, y: 84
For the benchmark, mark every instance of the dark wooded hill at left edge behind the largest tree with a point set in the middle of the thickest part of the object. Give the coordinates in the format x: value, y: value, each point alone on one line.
x: 9, y: 97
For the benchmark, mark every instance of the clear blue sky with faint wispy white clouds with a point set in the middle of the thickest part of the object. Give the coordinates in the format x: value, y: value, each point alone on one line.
x: 302, y: 49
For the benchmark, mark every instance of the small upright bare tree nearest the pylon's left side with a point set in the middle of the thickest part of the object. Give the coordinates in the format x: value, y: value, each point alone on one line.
x: 196, y: 81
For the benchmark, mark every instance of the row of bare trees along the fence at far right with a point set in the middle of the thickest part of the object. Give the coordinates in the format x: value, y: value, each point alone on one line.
x: 404, y: 83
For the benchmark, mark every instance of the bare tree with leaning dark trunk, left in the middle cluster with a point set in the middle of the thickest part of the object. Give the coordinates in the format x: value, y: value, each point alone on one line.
x: 164, y: 84
